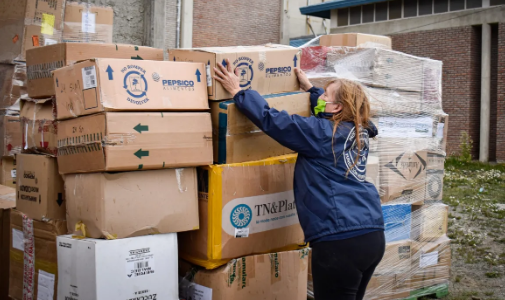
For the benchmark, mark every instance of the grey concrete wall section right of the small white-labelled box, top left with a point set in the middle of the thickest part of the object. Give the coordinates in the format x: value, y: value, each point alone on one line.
x: 128, y: 20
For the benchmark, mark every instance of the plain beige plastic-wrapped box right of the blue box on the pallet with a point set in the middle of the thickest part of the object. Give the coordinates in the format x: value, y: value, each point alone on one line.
x: 429, y: 222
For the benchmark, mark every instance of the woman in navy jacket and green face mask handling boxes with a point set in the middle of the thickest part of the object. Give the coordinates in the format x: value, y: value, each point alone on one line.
x: 339, y: 211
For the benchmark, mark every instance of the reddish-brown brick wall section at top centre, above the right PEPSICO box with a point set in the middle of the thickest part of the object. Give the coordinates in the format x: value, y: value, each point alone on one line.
x: 232, y: 22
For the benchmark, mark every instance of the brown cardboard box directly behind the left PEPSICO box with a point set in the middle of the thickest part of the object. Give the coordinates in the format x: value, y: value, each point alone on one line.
x: 42, y: 61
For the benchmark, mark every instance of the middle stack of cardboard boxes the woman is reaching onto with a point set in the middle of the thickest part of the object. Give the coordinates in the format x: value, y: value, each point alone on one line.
x: 250, y: 244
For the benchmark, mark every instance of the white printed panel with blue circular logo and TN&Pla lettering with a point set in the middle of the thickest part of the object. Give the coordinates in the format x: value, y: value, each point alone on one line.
x: 259, y: 213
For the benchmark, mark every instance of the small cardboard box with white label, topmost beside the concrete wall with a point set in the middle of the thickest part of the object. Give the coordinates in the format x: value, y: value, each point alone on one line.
x: 87, y: 23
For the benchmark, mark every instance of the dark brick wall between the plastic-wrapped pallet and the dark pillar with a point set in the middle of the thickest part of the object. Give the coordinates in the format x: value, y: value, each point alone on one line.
x: 459, y: 48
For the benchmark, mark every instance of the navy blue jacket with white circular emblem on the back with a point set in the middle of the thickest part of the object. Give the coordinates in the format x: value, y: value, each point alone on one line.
x: 327, y: 200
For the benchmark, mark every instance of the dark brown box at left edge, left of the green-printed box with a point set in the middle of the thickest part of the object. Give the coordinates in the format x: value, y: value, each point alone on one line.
x: 10, y: 135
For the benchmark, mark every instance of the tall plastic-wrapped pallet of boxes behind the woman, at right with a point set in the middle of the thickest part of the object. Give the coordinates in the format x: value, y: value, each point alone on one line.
x: 406, y: 160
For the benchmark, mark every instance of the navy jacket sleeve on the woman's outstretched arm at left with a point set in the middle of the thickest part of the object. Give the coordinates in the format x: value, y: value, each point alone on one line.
x: 300, y: 134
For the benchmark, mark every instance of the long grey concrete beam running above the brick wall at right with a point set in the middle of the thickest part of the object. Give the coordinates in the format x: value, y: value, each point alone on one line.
x: 431, y: 22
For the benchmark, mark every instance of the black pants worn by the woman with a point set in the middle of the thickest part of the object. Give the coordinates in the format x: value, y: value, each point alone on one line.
x: 342, y: 269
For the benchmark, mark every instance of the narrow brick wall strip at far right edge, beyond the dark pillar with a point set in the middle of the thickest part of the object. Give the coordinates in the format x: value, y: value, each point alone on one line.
x: 500, y: 135
